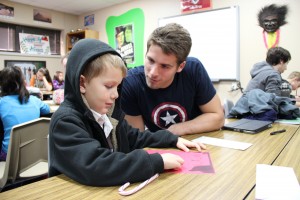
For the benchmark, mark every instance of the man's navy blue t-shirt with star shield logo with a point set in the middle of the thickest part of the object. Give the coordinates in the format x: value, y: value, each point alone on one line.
x: 160, y: 108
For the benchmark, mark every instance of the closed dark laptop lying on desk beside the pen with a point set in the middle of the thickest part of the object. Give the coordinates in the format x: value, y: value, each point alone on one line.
x: 248, y: 126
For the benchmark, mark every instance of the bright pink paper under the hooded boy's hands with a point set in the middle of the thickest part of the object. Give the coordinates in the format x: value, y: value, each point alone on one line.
x: 194, y: 162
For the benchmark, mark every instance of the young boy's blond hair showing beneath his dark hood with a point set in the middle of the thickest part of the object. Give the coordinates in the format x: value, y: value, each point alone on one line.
x: 104, y: 62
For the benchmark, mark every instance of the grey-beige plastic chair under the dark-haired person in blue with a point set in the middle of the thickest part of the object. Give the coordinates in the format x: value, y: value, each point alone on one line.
x: 27, y: 156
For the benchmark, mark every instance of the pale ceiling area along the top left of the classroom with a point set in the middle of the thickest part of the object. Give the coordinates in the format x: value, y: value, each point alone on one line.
x: 76, y: 7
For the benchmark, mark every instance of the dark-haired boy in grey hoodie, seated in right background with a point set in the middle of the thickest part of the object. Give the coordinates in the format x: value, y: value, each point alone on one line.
x: 266, y: 75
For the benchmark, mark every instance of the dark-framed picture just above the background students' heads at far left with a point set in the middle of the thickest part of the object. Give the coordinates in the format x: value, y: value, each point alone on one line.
x: 28, y: 67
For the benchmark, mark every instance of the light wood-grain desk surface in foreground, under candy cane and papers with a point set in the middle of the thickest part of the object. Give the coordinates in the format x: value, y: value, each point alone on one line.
x: 234, y: 178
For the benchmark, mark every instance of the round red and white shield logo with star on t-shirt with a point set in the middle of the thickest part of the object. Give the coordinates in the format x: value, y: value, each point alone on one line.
x: 168, y: 113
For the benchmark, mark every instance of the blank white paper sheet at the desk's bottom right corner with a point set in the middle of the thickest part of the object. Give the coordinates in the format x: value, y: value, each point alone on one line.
x: 276, y: 183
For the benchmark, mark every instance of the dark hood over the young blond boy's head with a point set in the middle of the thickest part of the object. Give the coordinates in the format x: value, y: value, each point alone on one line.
x: 83, y: 52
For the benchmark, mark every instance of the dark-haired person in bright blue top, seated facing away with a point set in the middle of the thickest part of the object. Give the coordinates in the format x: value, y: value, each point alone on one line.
x: 16, y: 105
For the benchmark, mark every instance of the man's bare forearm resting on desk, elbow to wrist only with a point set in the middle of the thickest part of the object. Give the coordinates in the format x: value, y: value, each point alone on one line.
x: 204, y: 123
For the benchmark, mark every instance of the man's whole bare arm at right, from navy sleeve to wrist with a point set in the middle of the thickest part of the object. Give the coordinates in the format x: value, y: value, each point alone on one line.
x: 211, y: 119
